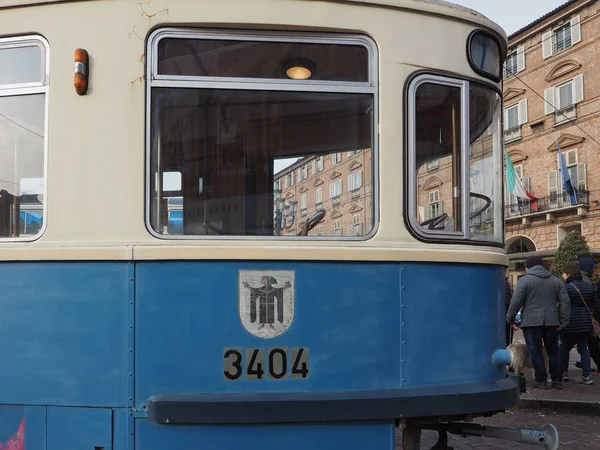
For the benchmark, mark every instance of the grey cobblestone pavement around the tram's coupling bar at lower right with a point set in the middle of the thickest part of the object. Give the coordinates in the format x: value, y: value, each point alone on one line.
x: 576, y: 432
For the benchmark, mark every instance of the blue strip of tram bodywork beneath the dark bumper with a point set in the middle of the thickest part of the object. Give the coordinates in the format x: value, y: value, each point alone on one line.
x: 378, y: 436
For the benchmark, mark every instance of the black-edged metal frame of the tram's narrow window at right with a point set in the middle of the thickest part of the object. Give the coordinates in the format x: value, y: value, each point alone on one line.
x: 413, y: 82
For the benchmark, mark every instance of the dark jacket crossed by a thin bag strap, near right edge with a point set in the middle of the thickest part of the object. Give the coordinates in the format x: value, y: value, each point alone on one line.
x: 581, y: 321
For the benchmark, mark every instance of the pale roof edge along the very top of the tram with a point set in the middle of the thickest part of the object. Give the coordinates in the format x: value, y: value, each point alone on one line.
x: 441, y: 7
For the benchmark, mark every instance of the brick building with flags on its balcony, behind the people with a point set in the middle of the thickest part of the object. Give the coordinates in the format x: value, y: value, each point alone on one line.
x: 552, y: 92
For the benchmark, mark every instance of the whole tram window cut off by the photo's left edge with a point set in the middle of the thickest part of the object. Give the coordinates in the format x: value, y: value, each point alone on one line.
x: 23, y: 90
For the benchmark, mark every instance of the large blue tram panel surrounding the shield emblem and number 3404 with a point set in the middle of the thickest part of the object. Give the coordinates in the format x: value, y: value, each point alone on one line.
x: 187, y: 312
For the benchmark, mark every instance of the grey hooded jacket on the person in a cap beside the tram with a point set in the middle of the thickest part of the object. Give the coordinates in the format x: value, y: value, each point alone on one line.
x: 542, y: 299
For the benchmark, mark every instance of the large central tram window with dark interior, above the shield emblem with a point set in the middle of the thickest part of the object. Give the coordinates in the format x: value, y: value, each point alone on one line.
x: 204, y: 84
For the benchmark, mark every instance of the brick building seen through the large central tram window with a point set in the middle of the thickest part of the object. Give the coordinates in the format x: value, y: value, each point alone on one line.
x: 339, y: 183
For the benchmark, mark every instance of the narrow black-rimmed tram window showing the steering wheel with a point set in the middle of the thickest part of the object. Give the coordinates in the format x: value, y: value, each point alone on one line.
x: 456, y: 174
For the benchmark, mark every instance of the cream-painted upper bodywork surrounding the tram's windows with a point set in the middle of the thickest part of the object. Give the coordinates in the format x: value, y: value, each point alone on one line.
x: 96, y: 148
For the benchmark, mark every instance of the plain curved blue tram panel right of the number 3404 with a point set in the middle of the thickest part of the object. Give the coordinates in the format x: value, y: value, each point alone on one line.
x: 453, y: 318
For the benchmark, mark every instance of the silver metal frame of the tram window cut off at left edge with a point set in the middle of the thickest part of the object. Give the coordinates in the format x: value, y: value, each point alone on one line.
x: 32, y: 88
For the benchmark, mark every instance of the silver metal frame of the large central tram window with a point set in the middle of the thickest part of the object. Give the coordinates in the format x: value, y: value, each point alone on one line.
x: 156, y: 80
